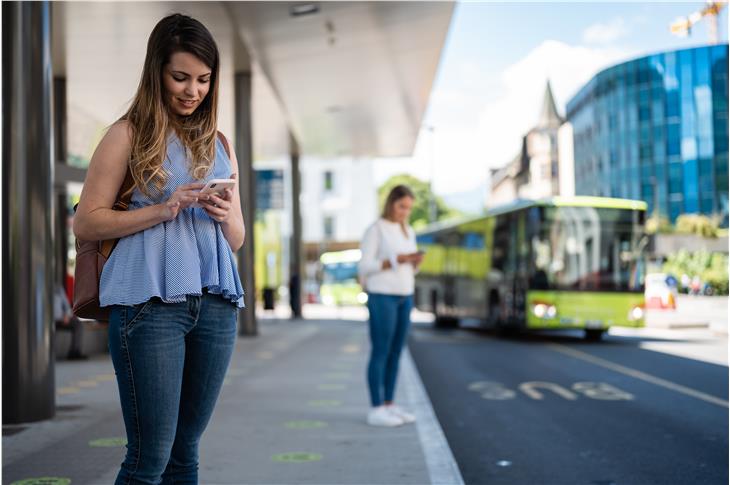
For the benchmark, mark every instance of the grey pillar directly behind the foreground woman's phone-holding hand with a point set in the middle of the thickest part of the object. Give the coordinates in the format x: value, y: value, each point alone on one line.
x: 247, y: 185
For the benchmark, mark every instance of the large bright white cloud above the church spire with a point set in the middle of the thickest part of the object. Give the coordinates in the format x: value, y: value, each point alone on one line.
x: 478, y: 131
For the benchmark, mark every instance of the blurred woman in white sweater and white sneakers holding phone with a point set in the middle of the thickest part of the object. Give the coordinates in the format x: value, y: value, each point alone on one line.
x: 389, y: 261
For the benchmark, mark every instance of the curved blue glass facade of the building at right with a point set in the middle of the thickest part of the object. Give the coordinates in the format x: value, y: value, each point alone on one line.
x: 656, y: 129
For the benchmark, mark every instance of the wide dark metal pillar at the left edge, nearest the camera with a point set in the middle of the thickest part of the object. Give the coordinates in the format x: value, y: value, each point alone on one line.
x: 27, y: 211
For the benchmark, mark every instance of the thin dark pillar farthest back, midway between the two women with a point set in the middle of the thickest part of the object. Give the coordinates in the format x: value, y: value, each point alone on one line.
x: 295, y: 260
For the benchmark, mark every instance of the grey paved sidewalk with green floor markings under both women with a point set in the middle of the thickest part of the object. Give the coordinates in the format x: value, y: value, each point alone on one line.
x: 292, y: 411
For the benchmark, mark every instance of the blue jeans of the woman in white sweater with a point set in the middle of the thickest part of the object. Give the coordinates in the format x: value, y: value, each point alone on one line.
x: 390, y: 317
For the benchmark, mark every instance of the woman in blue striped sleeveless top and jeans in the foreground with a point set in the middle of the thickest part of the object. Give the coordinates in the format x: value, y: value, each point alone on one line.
x: 171, y: 282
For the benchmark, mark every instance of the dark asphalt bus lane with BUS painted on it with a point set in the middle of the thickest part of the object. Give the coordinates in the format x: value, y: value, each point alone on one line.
x: 554, y: 409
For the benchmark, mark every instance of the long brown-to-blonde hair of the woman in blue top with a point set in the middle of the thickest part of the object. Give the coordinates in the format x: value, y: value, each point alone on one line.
x: 149, y: 116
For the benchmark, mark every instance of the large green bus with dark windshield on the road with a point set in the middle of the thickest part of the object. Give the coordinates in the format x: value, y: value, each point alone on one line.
x: 555, y: 263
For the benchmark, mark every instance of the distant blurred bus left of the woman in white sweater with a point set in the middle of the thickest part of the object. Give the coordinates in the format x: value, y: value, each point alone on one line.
x: 339, y: 278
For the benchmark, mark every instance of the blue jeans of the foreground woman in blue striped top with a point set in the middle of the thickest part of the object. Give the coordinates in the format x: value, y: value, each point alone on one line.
x: 170, y: 360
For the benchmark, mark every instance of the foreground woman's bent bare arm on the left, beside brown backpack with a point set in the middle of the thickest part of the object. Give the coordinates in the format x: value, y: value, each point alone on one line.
x: 95, y: 220
